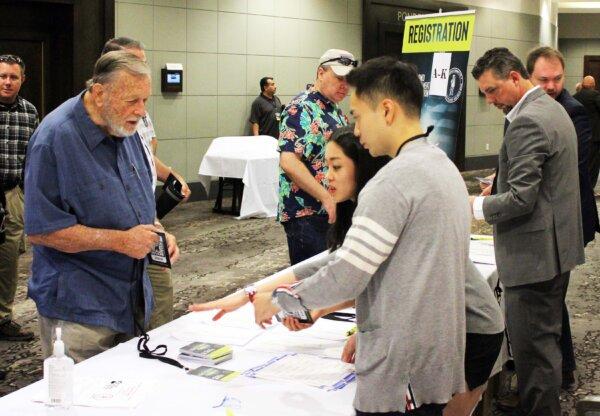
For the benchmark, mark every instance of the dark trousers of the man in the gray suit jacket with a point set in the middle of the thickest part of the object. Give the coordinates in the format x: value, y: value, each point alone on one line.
x: 534, y: 322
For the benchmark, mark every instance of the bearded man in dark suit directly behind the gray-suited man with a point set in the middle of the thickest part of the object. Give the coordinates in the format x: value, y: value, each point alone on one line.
x: 547, y: 69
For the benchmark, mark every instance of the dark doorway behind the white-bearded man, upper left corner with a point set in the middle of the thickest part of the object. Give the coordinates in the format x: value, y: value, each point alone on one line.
x: 59, y: 41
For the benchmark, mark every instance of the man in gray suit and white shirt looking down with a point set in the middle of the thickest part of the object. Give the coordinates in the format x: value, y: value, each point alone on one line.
x: 537, y: 223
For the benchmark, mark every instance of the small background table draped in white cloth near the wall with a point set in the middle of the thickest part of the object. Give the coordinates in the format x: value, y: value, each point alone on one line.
x: 255, y: 160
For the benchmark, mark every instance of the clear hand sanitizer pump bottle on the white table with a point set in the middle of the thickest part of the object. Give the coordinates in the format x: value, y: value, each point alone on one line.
x: 58, y: 372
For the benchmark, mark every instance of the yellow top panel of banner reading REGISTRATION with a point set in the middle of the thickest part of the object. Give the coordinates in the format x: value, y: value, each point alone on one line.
x: 450, y: 33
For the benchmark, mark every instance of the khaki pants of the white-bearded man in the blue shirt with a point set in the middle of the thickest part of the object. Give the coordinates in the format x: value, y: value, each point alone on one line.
x: 81, y: 341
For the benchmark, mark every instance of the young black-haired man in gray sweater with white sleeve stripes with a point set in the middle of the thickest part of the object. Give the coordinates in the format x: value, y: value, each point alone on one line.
x: 404, y: 258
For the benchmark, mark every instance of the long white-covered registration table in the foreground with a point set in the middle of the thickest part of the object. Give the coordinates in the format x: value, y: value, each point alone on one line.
x: 177, y: 393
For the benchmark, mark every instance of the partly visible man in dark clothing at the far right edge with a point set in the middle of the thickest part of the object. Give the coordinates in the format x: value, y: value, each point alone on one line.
x: 590, y: 98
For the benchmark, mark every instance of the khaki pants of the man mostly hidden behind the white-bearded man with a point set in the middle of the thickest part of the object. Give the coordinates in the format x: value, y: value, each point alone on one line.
x: 162, y: 286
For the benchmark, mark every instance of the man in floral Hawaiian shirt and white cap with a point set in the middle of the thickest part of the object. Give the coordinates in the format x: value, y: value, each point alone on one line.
x: 305, y: 205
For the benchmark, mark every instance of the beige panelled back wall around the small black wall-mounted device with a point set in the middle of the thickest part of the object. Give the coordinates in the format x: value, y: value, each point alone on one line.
x: 225, y: 47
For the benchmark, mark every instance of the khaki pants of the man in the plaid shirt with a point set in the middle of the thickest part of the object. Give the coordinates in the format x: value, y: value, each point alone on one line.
x: 9, y: 251
